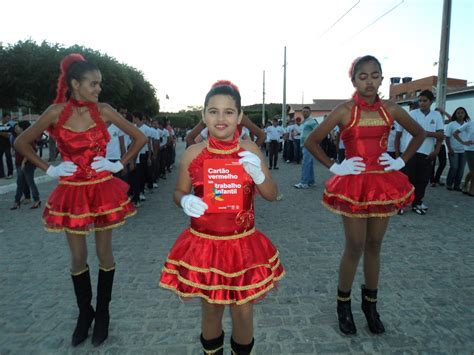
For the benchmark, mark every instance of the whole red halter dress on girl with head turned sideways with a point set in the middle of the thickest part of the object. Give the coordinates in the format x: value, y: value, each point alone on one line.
x: 86, y: 201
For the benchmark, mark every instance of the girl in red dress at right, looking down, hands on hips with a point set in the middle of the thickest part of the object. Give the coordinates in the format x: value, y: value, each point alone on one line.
x: 367, y: 188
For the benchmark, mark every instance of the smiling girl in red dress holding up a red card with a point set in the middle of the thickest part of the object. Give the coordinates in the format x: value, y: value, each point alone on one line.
x: 221, y: 257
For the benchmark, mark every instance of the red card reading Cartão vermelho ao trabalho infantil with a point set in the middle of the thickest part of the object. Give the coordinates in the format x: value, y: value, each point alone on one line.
x: 223, y: 185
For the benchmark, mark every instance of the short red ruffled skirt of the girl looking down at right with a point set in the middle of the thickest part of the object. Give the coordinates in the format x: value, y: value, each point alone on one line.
x: 371, y: 194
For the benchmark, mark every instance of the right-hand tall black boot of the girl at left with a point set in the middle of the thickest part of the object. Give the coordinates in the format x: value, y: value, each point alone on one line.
x: 104, y: 295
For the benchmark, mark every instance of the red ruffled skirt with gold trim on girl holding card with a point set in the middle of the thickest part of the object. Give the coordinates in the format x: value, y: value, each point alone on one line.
x: 222, y: 269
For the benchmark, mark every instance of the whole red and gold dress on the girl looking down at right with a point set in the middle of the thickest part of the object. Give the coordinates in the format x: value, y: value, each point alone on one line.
x: 375, y: 192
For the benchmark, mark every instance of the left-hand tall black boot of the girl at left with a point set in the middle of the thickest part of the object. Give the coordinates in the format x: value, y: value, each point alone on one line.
x: 83, y: 291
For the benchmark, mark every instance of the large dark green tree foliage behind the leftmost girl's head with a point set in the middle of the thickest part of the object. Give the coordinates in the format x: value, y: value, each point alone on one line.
x: 29, y: 73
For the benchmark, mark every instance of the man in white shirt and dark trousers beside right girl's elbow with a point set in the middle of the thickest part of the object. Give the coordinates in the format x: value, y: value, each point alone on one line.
x: 419, y: 167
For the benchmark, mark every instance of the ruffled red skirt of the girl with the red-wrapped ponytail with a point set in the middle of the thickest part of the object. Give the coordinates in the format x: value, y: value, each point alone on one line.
x: 83, y: 207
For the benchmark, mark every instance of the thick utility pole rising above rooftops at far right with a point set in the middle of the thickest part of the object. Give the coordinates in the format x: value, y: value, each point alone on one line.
x: 443, y: 56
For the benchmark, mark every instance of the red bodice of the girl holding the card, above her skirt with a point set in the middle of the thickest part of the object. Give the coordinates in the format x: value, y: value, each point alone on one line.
x: 222, y: 224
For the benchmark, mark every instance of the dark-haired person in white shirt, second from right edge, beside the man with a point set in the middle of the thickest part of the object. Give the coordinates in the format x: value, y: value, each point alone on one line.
x: 457, y: 160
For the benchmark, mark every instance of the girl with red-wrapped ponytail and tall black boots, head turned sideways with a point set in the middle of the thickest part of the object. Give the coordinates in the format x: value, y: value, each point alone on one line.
x: 88, y: 197
